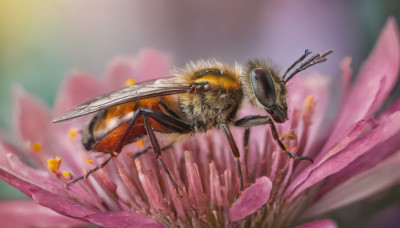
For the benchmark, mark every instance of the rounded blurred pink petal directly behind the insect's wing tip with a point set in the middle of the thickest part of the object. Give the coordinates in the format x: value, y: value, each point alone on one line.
x: 76, y: 88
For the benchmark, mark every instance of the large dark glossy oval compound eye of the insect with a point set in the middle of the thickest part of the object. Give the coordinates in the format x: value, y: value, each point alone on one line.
x: 263, y: 87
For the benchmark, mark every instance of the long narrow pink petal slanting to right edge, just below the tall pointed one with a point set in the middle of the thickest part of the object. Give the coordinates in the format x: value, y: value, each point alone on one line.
x: 320, y: 170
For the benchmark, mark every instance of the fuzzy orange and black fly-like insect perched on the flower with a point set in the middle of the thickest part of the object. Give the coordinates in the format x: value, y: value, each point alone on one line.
x: 201, y: 96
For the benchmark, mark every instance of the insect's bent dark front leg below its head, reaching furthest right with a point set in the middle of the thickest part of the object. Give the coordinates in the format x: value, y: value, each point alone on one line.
x: 250, y: 121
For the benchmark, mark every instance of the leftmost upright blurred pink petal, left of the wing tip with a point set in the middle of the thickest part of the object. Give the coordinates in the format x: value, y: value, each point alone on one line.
x: 31, y: 117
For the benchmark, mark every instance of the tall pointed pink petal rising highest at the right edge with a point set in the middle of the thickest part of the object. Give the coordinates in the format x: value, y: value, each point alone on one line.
x: 375, y: 81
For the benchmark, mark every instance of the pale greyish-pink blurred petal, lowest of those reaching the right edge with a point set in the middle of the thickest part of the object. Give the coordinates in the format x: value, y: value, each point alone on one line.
x: 382, y: 176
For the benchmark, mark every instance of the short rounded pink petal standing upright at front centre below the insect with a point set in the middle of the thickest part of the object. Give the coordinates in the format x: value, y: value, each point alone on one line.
x: 253, y: 198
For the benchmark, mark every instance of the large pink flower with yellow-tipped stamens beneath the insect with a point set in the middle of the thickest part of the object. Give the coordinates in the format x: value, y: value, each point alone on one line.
x: 355, y: 154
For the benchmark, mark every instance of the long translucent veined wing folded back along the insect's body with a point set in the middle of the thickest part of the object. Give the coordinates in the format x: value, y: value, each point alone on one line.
x: 141, y: 91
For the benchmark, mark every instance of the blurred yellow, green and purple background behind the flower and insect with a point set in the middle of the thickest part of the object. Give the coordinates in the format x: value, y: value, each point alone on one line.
x: 41, y: 40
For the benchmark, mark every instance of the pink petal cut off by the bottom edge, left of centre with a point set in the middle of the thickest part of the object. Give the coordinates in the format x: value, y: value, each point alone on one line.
x: 122, y: 219
